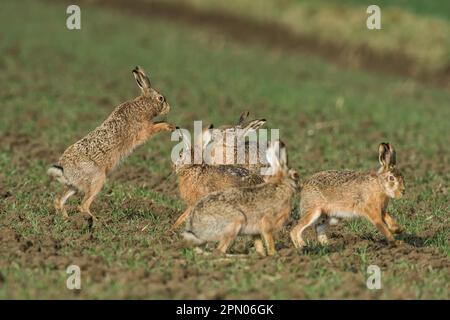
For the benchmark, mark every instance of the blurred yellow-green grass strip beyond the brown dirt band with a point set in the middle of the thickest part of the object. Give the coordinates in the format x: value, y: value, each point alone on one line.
x: 416, y: 29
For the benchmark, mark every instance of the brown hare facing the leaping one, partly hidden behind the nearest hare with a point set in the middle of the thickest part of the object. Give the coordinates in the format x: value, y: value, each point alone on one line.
x: 198, y: 180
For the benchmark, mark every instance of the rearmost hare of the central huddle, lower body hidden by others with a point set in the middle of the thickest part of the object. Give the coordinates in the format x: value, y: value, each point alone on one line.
x: 227, y: 144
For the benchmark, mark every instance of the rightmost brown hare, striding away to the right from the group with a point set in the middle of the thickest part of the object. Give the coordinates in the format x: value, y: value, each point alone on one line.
x: 328, y: 196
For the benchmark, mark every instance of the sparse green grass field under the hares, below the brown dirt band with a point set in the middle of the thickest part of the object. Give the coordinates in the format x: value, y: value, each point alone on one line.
x: 57, y: 85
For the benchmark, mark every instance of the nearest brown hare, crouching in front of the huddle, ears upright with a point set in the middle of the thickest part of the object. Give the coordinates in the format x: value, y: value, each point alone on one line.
x: 257, y: 210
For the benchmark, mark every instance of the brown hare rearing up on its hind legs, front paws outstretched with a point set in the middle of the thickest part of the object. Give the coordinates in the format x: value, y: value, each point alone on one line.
x: 84, y: 165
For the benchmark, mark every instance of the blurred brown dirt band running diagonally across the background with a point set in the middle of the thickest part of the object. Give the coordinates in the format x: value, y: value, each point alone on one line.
x: 276, y: 36
